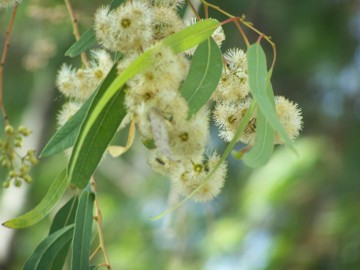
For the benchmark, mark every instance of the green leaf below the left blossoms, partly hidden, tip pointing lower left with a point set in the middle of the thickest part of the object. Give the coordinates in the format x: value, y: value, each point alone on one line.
x: 65, y: 137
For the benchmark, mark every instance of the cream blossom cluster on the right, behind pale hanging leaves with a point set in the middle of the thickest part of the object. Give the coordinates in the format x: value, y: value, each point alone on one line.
x: 233, y: 100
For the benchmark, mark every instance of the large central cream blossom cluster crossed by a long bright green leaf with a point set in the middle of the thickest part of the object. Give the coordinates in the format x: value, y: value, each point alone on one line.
x: 153, y: 99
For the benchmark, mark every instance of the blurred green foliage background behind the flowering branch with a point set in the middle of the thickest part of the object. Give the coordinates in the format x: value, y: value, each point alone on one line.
x: 295, y: 213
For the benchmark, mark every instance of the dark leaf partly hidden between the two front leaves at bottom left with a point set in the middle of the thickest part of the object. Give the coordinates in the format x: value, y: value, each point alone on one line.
x: 64, y: 217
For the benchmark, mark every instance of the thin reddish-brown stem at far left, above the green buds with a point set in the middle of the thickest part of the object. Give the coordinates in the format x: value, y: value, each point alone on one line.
x: 2, y: 64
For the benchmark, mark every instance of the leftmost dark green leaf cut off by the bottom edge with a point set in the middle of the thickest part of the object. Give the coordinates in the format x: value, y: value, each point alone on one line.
x: 48, y: 249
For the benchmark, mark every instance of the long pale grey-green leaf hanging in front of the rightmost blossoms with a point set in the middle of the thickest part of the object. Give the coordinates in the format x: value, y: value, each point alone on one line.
x: 258, y: 80
